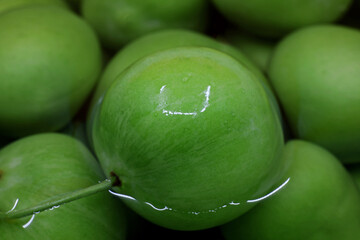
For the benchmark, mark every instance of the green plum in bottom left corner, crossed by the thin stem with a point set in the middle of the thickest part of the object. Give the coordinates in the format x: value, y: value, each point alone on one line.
x: 37, y: 167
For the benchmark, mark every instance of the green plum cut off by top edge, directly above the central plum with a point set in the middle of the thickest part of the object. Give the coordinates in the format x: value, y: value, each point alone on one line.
x: 118, y: 22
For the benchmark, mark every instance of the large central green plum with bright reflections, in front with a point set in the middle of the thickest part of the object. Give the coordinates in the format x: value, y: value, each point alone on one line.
x: 192, y: 135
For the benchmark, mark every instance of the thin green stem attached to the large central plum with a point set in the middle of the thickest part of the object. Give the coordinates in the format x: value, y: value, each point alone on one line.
x: 60, y: 199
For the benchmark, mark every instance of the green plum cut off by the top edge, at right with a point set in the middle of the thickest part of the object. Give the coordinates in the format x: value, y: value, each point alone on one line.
x: 275, y: 18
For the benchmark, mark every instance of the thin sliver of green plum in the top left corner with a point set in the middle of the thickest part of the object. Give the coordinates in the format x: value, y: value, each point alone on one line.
x: 6, y: 5
